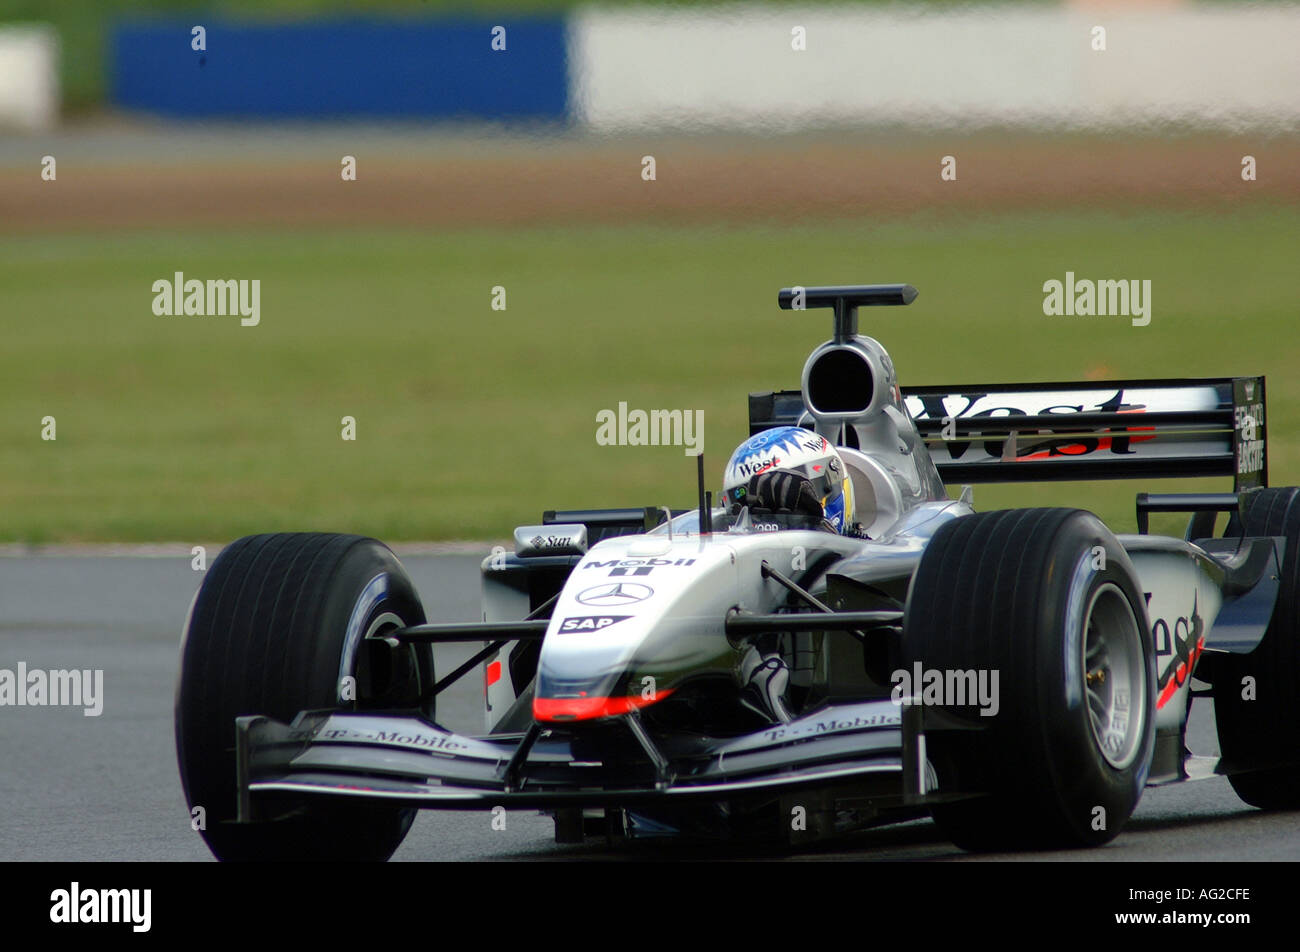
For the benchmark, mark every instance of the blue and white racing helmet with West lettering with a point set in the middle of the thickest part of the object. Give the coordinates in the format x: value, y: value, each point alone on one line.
x: 795, y: 451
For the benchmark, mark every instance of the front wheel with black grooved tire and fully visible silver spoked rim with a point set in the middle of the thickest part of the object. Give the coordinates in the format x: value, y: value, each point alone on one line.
x: 1048, y: 600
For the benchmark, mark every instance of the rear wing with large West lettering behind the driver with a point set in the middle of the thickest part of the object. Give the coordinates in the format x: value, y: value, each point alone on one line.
x: 1077, y: 431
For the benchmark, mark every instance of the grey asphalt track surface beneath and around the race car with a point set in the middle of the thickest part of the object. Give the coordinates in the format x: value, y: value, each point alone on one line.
x: 106, y: 789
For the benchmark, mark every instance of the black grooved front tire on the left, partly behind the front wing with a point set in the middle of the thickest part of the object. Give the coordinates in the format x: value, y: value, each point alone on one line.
x: 278, y: 628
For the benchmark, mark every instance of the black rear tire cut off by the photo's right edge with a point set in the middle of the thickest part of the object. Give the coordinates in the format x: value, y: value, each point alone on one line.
x: 1258, y: 695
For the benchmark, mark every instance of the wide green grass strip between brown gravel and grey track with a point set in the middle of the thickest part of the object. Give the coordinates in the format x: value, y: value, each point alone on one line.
x: 471, y: 422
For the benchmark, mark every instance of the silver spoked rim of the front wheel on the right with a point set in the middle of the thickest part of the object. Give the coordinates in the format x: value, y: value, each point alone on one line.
x: 1115, y: 677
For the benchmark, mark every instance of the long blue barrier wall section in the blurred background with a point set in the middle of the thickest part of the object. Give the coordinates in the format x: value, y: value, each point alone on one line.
x: 343, y: 68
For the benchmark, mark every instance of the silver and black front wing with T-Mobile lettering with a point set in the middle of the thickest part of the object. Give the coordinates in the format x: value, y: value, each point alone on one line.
x: 408, y: 760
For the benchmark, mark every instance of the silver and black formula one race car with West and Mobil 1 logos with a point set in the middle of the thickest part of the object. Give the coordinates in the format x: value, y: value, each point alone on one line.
x: 766, y: 669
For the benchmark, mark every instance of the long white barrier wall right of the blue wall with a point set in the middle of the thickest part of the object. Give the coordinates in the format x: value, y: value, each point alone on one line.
x: 734, y: 67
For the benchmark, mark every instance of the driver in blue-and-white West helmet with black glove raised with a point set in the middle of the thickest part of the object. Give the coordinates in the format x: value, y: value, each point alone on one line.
x: 791, y: 470
